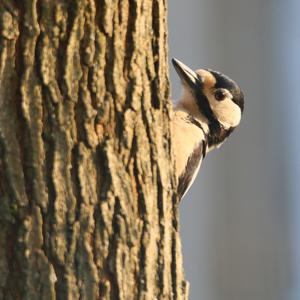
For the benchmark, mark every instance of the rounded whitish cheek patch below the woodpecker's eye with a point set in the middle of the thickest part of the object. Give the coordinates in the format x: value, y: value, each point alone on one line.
x: 227, y: 112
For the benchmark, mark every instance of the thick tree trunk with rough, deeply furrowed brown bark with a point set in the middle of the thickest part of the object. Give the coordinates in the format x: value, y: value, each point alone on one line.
x: 87, y: 202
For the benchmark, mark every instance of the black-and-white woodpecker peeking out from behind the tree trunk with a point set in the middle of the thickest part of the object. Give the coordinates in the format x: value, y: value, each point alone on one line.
x: 210, y: 108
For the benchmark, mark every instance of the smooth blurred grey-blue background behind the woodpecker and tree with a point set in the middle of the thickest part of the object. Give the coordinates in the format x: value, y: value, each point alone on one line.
x: 240, y: 222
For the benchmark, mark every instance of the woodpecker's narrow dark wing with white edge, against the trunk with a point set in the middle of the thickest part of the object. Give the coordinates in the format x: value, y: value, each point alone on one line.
x: 190, y: 172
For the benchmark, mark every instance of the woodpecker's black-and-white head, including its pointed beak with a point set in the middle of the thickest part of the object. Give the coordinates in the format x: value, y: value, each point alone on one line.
x: 212, y: 96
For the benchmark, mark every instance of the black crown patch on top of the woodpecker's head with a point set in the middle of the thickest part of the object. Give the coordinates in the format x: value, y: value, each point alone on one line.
x: 222, y: 81
